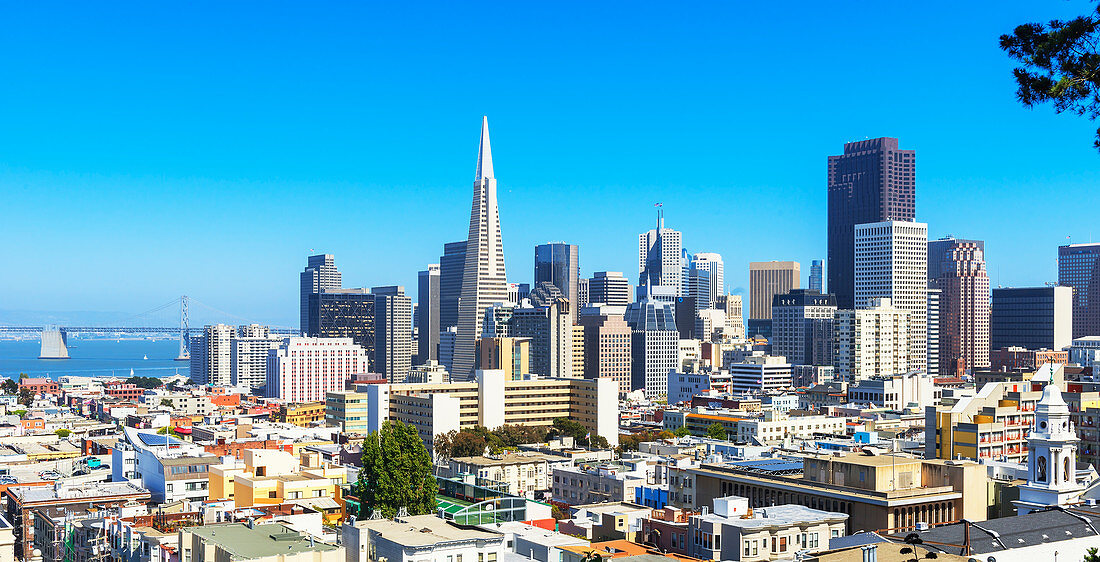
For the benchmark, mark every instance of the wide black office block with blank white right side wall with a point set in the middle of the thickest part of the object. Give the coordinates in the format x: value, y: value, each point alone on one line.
x: 1032, y: 318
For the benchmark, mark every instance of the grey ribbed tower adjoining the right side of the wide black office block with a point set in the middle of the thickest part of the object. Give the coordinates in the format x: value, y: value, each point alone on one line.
x: 393, y: 343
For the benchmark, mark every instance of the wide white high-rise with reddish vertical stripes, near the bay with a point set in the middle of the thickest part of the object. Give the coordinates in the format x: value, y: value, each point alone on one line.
x: 302, y: 370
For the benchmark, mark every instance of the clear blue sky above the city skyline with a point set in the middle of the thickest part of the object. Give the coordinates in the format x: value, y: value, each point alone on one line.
x: 155, y: 150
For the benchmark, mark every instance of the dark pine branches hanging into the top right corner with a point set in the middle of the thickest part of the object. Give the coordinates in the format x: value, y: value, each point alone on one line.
x: 1061, y: 65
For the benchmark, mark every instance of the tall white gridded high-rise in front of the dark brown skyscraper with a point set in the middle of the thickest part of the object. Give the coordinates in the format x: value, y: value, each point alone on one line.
x: 893, y: 262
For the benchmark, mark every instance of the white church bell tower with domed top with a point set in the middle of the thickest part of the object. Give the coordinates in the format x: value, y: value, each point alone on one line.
x: 1052, y: 457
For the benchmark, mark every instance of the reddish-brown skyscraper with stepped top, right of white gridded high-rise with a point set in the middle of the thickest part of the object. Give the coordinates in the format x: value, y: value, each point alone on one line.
x: 958, y: 268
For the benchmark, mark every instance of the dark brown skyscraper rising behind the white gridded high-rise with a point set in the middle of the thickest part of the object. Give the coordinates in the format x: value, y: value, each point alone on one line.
x: 872, y: 182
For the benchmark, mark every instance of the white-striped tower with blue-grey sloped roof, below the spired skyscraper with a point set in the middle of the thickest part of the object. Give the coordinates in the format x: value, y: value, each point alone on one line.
x: 655, y: 346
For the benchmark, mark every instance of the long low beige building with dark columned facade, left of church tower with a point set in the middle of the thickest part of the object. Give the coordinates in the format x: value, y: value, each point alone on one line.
x: 877, y: 492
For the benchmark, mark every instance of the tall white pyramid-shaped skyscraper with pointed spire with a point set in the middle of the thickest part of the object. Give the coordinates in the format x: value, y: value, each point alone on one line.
x: 485, y: 281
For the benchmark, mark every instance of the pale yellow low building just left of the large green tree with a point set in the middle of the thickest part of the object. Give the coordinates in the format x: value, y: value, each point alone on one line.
x: 271, y: 478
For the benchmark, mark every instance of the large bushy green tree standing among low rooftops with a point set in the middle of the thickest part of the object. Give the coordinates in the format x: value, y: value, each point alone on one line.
x: 397, y: 473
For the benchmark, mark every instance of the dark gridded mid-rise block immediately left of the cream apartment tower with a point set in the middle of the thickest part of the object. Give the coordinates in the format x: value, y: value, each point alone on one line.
x: 802, y: 327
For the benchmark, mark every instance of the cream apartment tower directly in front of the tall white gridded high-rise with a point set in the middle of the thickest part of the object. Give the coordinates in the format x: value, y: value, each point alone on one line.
x: 873, y: 343
